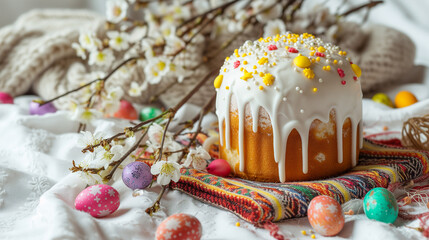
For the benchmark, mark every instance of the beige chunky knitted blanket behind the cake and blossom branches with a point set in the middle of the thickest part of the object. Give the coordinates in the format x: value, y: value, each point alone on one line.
x: 36, y: 55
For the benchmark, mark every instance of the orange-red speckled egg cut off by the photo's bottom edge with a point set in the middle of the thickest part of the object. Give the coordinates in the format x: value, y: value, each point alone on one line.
x: 179, y: 226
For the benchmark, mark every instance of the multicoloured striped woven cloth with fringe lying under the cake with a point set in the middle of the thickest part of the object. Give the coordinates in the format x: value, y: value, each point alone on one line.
x: 380, y: 163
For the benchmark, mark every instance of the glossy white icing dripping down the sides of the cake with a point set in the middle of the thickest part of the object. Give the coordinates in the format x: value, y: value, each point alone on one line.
x: 292, y: 101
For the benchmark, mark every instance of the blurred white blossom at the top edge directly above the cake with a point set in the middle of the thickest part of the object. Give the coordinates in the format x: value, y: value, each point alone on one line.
x: 264, y: 14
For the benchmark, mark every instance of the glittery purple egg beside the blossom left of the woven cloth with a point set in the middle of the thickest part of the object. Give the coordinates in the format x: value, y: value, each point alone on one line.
x: 136, y: 175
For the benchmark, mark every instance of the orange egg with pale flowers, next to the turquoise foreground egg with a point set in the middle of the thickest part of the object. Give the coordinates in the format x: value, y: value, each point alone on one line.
x: 325, y: 215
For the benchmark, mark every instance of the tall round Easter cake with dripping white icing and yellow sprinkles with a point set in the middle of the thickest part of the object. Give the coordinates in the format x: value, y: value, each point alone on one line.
x: 289, y: 109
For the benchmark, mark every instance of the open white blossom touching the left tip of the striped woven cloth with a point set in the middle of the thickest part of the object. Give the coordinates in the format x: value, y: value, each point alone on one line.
x: 167, y: 171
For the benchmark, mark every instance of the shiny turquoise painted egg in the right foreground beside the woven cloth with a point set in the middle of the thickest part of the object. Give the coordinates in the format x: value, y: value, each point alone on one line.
x: 380, y: 204
